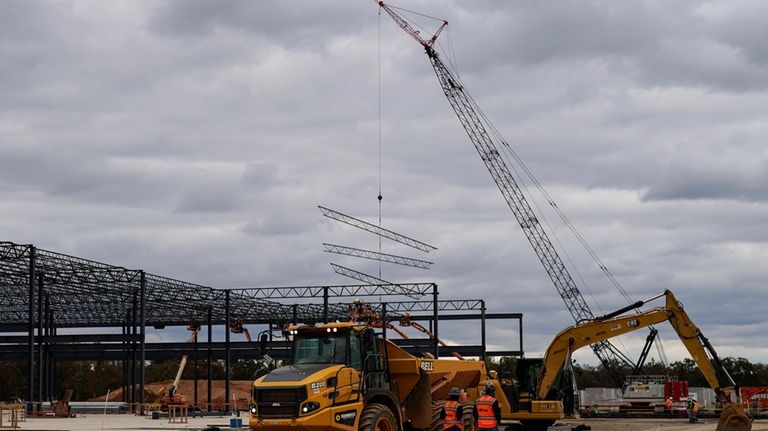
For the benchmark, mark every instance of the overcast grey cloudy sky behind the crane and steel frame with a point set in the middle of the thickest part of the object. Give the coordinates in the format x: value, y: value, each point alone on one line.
x: 195, y: 139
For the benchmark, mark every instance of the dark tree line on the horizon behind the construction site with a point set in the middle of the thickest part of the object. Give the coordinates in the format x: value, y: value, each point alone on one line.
x: 90, y: 379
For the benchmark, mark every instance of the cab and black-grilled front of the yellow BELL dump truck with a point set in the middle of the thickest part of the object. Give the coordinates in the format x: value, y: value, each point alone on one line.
x: 324, y: 381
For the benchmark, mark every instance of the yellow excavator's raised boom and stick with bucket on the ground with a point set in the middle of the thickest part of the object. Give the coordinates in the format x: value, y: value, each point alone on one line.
x: 603, y: 328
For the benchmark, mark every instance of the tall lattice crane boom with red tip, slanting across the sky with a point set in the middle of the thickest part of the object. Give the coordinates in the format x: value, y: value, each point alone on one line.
x: 468, y: 113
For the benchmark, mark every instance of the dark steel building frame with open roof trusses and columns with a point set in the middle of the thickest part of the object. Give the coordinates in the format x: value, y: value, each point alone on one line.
x: 43, y: 291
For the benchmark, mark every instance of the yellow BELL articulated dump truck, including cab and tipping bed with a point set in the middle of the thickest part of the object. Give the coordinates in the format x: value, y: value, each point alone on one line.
x: 346, y: 376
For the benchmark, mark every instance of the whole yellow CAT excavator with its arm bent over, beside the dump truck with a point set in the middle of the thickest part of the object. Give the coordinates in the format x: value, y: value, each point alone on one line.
x: 538, y: 402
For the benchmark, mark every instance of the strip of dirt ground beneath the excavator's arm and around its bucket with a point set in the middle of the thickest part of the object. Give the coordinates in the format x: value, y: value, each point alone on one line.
x: 659, y: 424
